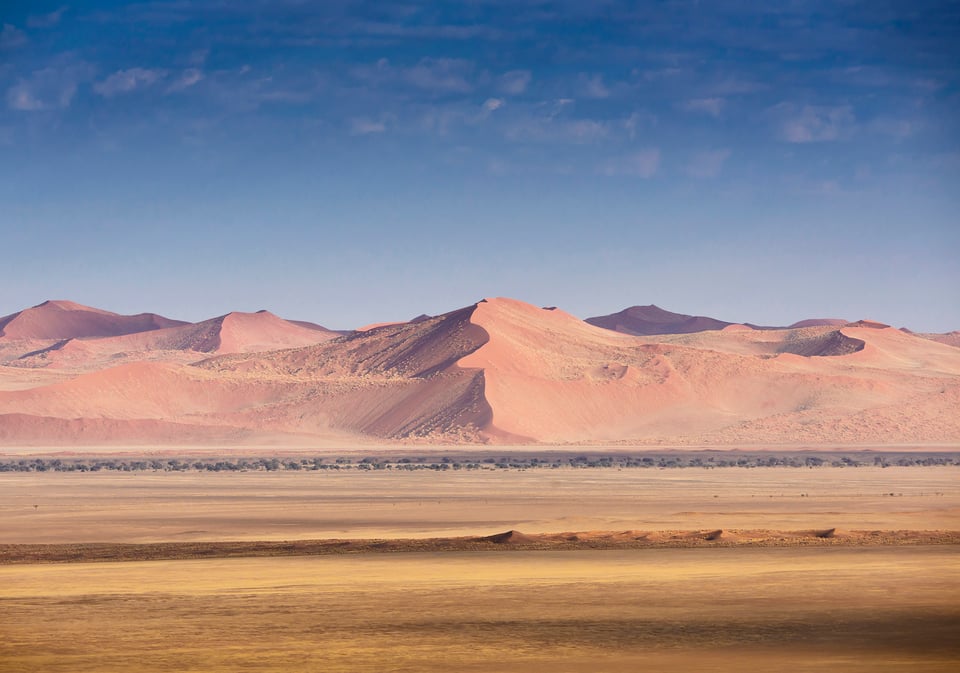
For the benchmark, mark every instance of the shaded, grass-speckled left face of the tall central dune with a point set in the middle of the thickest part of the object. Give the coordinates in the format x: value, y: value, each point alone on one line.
x: 395, y: 381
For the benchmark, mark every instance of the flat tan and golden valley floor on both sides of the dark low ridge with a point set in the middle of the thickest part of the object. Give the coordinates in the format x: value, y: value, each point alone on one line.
x: 793, y: 608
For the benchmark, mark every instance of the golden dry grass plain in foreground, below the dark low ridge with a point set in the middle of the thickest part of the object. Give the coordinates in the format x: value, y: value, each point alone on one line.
x: 876, y: 609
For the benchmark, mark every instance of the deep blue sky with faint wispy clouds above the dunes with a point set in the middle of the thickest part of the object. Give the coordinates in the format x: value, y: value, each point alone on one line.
x: 350, y: 162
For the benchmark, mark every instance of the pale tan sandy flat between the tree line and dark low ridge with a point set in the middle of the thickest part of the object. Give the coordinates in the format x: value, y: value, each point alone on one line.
x: 157, y: 507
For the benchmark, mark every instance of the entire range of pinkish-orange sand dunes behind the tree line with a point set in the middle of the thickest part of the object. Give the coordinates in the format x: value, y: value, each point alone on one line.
x: 499, y: 371
